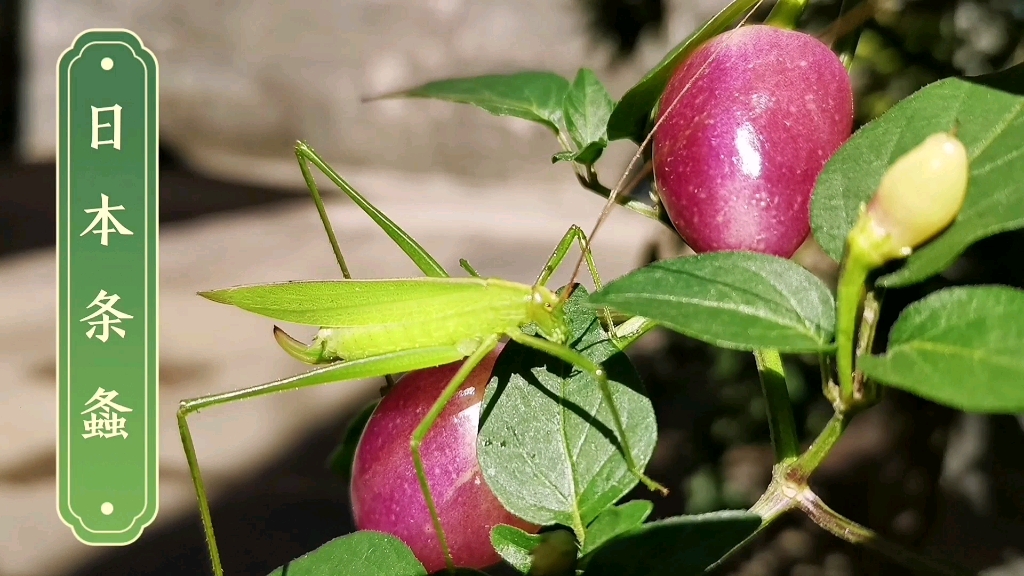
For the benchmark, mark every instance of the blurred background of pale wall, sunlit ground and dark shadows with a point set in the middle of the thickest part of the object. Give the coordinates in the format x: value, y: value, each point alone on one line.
x: 242, y: 81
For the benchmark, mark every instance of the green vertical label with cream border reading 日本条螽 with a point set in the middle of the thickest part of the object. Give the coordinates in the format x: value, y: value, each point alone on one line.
x: 107, y: 287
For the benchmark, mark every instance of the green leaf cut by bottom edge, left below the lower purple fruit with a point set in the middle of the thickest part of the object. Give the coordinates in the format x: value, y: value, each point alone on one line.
x: 360, y: 554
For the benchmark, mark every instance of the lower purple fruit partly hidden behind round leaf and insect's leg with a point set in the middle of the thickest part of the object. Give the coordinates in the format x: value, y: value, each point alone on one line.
x: 387, y: 496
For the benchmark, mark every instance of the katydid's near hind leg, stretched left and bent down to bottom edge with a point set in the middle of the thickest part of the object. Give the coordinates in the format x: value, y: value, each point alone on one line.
x: 367, y: 368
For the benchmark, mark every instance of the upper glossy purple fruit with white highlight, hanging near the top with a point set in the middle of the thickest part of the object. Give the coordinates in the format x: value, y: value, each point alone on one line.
x: 737, y: 159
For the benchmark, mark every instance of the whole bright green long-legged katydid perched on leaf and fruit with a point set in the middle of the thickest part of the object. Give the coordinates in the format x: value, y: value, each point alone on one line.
x: 375, y: 328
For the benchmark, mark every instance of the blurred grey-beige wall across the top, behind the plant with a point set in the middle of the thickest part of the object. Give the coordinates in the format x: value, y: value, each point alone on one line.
x: 242, y: 81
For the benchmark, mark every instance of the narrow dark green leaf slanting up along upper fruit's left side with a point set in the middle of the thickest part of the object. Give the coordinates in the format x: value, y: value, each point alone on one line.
x: 629, y: 119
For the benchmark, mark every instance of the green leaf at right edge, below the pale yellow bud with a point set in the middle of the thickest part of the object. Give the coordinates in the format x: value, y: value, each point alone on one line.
x: 961, y: 348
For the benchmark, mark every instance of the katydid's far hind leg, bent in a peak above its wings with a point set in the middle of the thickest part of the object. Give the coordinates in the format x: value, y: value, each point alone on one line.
x: 417, y: 254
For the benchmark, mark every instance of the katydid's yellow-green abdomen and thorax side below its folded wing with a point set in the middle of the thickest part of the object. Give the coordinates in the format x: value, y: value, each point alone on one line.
x: 441, y: 320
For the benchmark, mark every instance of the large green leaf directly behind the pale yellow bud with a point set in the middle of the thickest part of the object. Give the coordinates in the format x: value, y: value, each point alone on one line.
x: 991, y: 126
